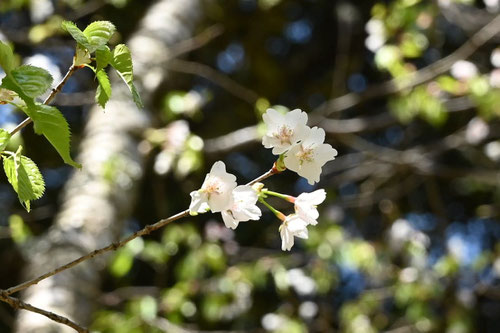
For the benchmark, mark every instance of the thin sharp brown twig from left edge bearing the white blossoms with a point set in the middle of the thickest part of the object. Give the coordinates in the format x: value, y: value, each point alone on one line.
x: 114, y: 246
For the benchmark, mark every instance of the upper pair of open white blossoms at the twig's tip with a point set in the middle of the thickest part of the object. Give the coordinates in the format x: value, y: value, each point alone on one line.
x: 303, y: 147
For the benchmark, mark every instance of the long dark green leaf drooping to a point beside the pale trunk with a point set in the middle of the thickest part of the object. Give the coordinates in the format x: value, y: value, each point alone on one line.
x: 50, y: 122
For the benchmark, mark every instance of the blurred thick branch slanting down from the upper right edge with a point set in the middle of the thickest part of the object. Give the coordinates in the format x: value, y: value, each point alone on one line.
x: 423, y: 75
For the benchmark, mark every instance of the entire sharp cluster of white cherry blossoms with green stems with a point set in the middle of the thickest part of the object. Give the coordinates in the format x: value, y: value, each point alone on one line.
x: 301, y: 149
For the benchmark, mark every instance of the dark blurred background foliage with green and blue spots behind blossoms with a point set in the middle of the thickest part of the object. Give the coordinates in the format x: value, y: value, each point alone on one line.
x: 408, y: 238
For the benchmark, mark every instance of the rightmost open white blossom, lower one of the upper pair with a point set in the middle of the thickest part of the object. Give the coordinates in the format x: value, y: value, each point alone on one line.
x: 308, y: 157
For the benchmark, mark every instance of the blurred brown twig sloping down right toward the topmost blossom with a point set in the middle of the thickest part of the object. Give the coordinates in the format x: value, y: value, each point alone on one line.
x: 216, y: 77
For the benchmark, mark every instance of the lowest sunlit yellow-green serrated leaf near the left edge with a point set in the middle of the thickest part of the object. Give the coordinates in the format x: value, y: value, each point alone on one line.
x: 25, y: 178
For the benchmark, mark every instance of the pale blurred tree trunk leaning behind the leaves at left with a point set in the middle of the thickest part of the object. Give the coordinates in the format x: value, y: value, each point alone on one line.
x: 98, y: 198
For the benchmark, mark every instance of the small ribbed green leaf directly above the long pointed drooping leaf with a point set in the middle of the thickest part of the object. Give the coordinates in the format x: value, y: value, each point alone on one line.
x: 33, y: 81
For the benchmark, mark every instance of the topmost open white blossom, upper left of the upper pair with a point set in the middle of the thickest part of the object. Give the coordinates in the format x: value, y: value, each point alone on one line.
x: 284, y: 130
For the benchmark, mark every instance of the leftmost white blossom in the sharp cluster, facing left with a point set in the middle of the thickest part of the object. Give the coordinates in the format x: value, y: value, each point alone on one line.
x: 215, y: 193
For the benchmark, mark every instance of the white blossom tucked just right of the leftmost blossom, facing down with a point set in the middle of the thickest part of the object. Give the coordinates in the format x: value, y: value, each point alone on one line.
x: 244, y: 207
